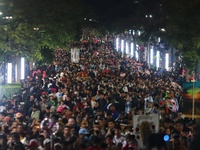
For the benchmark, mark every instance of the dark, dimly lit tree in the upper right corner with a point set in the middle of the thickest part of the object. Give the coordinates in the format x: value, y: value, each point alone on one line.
x: 182, y: 29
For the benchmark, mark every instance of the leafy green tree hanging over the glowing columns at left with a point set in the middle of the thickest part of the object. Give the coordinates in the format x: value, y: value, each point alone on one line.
x: 35, y: 23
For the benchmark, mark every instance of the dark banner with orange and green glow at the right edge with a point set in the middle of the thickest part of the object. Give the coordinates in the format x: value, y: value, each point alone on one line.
x: 191, y: 99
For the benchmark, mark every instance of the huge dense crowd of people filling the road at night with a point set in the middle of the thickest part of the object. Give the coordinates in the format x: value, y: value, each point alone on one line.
x: 90, y: 105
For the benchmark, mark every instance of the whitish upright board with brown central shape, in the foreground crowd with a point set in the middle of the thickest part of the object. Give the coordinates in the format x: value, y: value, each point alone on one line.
x: 144, y: 126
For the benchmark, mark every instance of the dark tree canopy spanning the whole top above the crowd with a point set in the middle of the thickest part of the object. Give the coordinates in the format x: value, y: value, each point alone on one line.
x: 56, y: 23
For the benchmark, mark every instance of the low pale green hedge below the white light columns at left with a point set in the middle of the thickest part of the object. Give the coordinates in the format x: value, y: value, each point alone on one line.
x: 9, y: 90
